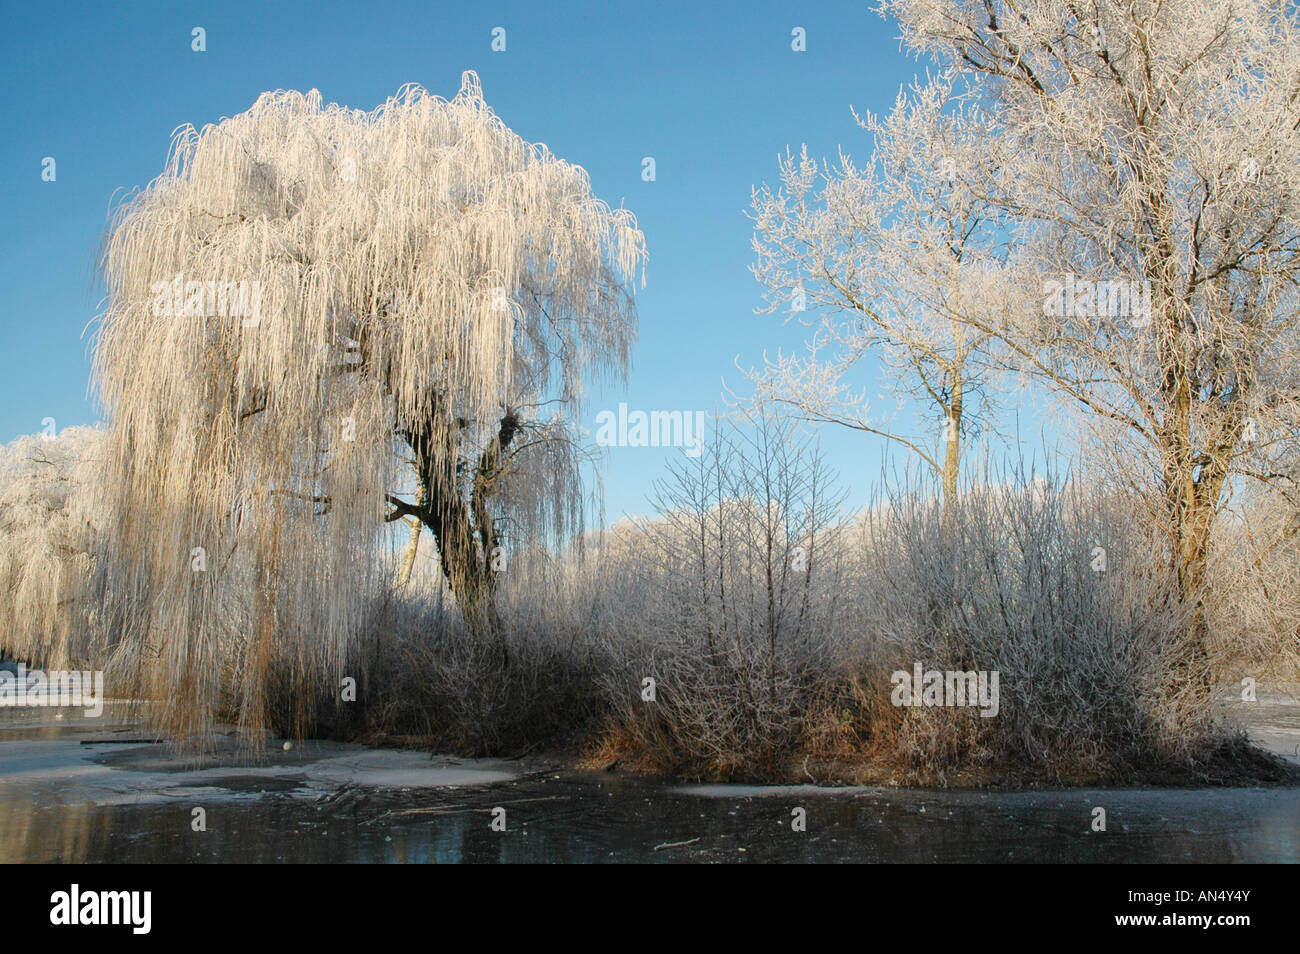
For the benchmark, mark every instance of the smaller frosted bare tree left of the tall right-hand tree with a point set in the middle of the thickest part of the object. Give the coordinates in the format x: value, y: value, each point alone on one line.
x: 887, y: 261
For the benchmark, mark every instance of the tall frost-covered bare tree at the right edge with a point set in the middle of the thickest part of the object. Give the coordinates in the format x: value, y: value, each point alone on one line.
x: 1151, y: 163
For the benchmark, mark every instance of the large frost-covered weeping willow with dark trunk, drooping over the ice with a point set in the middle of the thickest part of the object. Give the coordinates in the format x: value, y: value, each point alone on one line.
x: 322, y: 322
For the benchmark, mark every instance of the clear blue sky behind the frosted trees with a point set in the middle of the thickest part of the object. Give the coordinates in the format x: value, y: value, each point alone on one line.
x: 712, y: 92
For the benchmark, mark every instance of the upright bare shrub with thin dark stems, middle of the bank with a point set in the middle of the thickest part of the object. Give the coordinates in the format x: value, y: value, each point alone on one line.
x: 739, y: 578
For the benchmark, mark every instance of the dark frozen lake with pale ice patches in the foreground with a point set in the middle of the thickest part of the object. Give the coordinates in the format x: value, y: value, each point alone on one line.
x: 73, y: 791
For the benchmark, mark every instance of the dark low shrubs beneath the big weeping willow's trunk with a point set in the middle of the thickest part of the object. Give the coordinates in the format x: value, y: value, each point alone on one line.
x: 426, y: 677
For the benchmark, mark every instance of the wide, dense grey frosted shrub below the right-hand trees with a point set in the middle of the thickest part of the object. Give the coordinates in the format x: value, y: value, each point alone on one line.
x: 1059, y: 591
